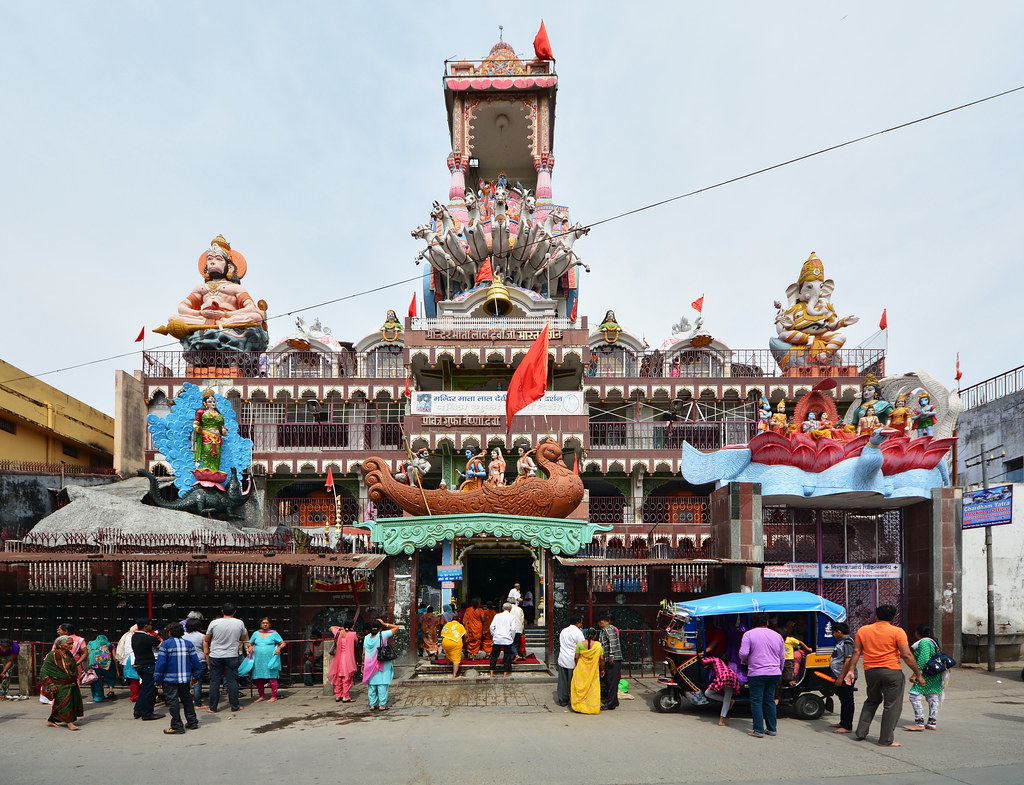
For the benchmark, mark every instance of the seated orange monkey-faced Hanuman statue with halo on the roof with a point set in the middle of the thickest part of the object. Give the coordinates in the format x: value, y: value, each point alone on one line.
x: 220, y: 315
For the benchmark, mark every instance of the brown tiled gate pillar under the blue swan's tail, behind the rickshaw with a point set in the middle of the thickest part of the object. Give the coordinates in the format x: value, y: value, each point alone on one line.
x: 738, y: 532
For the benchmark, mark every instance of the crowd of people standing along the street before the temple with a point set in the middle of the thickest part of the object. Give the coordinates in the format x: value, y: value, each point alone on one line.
x: 183, y: 656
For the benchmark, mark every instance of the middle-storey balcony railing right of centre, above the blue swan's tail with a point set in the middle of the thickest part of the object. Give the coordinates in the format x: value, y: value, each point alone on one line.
x: 631, y: 435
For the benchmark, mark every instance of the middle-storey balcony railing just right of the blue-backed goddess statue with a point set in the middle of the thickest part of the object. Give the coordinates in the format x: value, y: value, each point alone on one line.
x: 272, y: 438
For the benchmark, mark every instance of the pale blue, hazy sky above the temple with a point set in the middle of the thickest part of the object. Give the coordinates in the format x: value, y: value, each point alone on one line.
x: 314, y: 137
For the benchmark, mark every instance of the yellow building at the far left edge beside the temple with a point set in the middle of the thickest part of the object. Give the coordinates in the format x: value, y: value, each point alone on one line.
x: 42, y: 425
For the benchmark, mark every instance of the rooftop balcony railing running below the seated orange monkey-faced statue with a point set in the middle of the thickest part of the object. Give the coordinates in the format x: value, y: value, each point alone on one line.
x: 296, y: 365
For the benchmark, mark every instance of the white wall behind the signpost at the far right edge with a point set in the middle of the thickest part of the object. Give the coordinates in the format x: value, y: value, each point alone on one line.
x: 1008, y: 550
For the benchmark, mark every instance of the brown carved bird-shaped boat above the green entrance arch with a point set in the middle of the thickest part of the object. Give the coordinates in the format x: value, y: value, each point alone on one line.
x: 557, y: 497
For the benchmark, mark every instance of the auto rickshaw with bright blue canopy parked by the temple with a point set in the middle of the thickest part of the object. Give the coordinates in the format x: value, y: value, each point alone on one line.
x: 688, y: 625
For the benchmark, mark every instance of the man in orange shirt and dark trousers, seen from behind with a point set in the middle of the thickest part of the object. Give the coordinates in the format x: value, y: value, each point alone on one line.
x: 882, y: 645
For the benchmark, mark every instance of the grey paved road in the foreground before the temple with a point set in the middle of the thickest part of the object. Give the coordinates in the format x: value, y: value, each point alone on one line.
x: 509, y: 733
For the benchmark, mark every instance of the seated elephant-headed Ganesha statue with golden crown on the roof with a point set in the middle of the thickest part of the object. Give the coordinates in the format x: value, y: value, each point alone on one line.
x: 808, y: 328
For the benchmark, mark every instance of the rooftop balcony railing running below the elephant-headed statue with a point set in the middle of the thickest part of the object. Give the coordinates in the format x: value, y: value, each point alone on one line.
x: 713, y: 364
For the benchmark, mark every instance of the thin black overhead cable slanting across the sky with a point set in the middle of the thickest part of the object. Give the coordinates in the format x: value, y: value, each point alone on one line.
x: 617, y: 217
